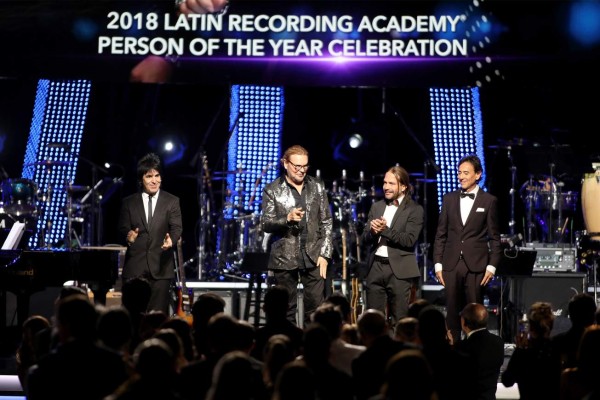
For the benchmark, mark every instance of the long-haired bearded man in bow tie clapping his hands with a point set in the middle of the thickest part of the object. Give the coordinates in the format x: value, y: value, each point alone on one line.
x: 394, y: 225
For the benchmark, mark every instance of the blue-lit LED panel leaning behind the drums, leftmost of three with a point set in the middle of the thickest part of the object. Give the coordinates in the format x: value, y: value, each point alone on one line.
x: 52, y: 152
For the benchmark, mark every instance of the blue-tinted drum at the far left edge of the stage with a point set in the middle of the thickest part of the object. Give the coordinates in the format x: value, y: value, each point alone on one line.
x: 19, y: 197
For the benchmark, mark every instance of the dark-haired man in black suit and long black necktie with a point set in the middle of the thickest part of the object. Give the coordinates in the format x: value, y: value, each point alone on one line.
x: 150, y: 222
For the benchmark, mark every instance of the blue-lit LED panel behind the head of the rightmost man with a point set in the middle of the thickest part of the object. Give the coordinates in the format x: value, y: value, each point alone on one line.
x: 457, y: 131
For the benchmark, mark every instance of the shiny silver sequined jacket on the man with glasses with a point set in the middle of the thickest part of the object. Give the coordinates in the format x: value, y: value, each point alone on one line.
x: 284, y: 241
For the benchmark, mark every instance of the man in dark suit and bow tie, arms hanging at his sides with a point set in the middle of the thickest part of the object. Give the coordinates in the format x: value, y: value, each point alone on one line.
x: 466, y: 250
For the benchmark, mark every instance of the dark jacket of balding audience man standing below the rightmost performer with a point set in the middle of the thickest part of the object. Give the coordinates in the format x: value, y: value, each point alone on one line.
x: 486, y: 351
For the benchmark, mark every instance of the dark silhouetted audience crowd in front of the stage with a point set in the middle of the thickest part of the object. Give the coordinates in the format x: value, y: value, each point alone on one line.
x: 93, y: 355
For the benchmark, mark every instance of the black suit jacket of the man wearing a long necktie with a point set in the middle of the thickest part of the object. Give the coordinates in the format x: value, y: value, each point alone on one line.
x: 146, y: 254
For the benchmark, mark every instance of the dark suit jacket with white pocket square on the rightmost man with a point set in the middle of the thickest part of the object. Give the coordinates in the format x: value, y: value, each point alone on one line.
x: 478, y: 239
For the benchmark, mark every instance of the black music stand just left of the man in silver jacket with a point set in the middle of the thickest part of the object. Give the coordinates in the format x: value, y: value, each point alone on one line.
x: 255, y: 264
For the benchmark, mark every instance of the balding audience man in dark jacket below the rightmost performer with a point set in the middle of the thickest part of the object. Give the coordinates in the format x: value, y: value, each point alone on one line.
x: 485, y: 349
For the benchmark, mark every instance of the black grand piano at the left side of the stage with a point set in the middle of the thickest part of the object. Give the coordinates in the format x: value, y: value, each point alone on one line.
x: 24, y: 272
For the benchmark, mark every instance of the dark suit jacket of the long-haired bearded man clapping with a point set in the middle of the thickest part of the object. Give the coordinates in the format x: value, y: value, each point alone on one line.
x: 401, y: 236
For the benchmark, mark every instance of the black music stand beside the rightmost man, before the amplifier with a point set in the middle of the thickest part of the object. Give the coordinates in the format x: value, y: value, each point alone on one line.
x: 516, y: 265
